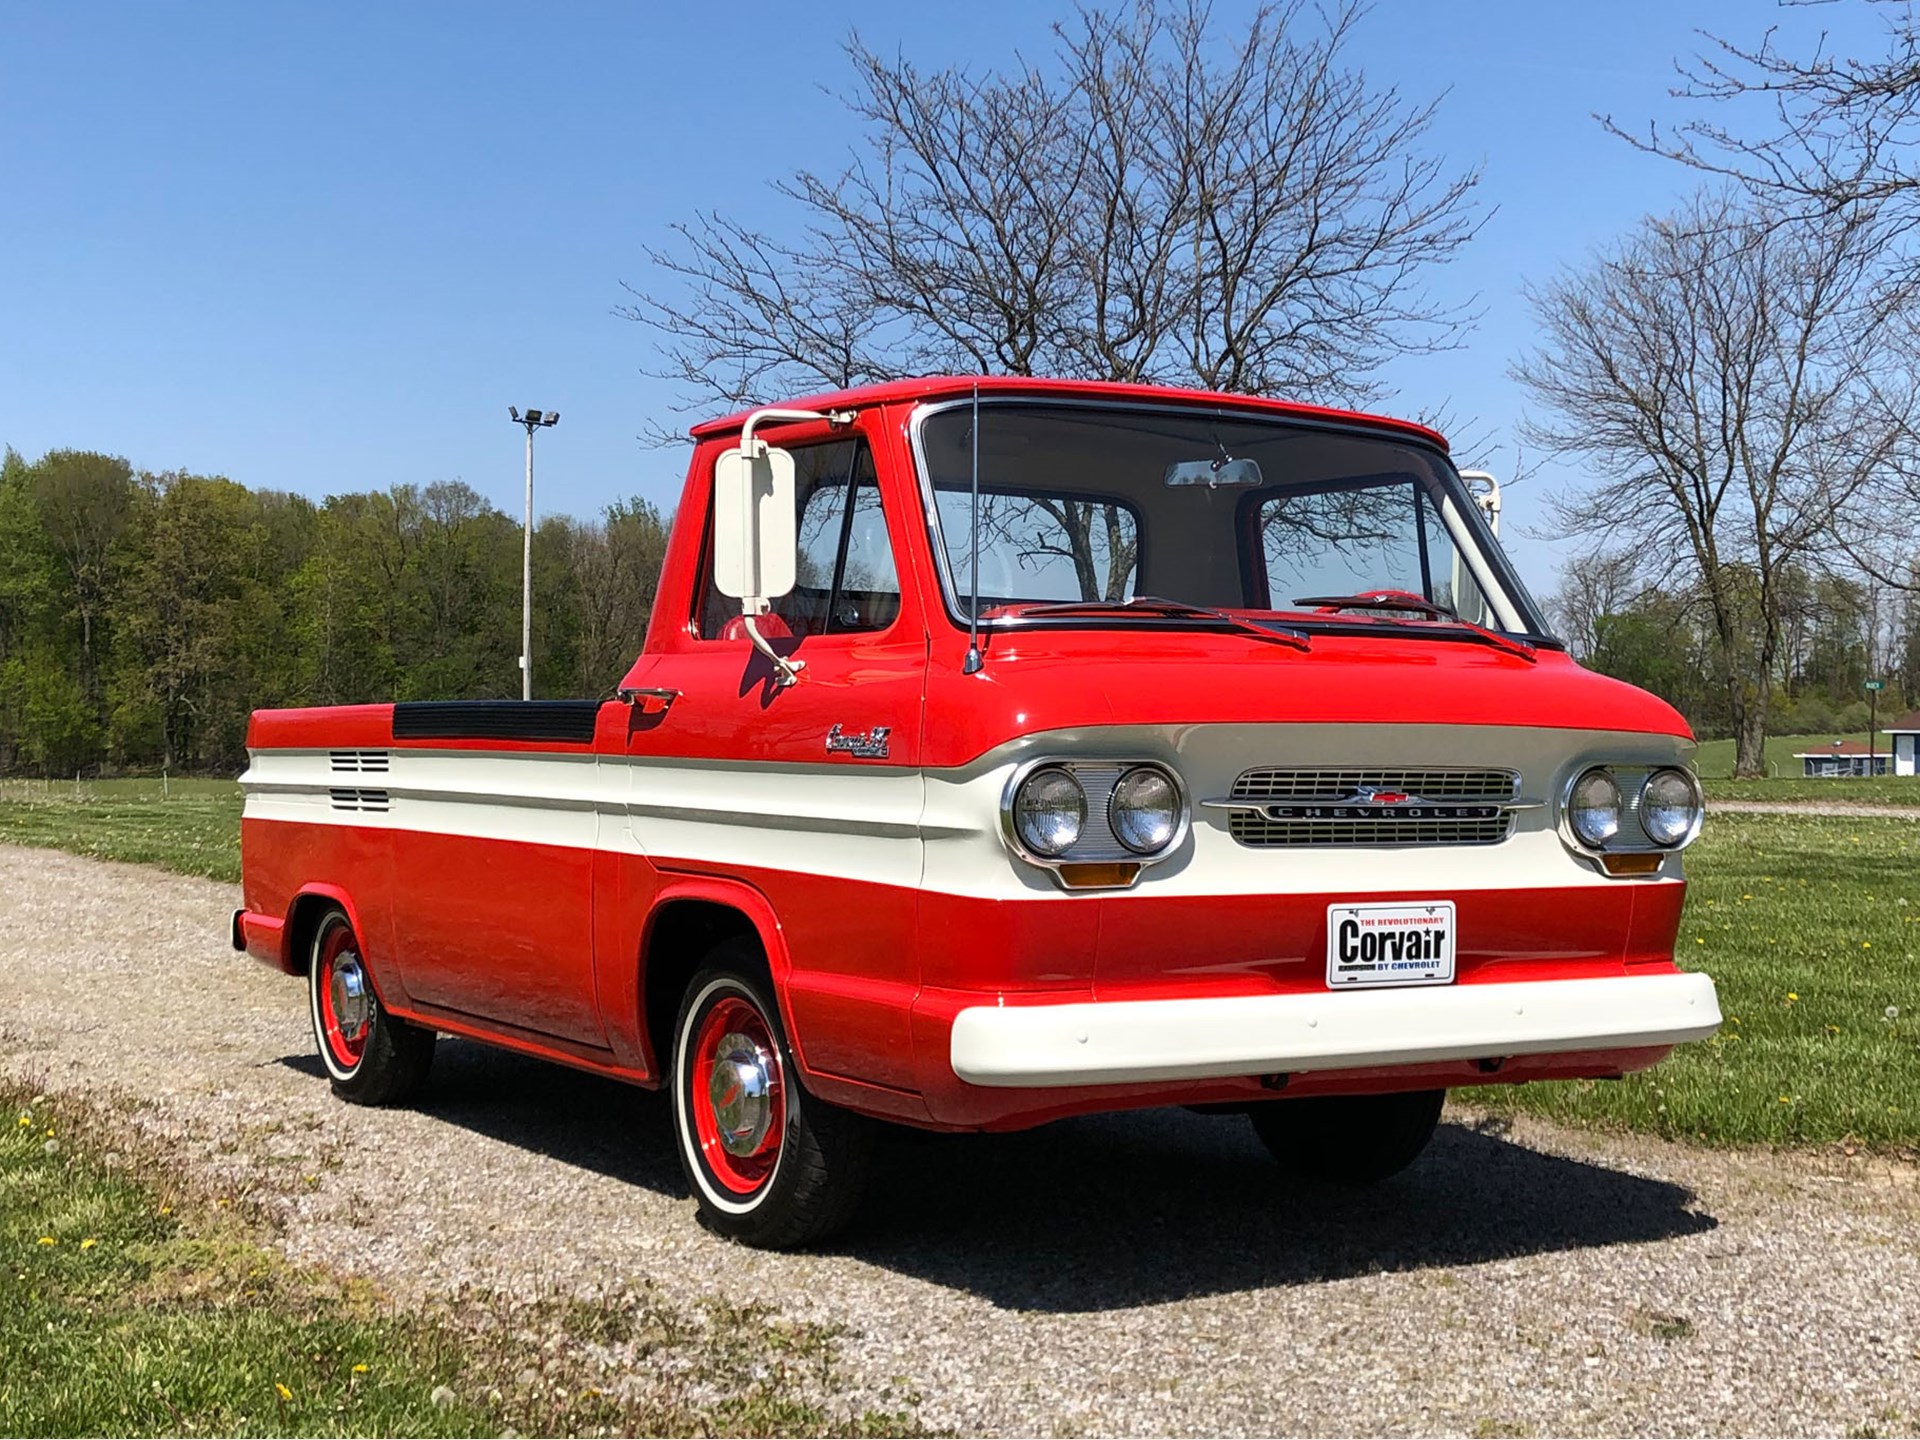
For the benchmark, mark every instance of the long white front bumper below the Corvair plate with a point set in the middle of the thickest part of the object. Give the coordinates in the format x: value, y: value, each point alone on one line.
x: 1118, y: 1042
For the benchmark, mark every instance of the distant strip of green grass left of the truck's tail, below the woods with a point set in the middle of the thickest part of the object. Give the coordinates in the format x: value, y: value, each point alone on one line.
x: 191, y: 827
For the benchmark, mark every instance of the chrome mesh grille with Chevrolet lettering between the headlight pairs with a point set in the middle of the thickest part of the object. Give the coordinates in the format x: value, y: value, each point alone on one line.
x: 1333, y: 807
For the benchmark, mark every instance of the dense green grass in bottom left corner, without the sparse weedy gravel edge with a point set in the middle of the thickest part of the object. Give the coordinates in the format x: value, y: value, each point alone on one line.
x: 126, y: 1310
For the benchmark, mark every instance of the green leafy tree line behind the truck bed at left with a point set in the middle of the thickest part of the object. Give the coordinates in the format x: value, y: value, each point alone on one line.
x: 143, y: 615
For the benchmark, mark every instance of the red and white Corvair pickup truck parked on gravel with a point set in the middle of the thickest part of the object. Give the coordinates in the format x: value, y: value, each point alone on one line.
x: 1001, y: 752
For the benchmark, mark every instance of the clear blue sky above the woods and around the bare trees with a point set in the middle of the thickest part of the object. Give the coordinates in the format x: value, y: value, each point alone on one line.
x: 324, y: 249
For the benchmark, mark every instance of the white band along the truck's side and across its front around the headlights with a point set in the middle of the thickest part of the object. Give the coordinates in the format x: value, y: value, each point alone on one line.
x: 940, y: 830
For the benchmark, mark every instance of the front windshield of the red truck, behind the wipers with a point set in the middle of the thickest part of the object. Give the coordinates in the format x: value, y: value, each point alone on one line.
x: 1101, y: 506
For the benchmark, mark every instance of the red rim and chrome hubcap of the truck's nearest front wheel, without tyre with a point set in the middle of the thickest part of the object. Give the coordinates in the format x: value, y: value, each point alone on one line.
x: 738, y: 1095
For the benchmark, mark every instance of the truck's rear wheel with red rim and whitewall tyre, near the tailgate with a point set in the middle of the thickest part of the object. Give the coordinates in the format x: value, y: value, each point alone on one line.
x: 372, y: 1057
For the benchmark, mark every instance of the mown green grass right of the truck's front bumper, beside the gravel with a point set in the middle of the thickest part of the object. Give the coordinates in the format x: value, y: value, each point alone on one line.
x: 1812, y: 930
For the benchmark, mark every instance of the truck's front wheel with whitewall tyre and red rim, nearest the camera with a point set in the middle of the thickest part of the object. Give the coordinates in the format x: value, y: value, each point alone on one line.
x: 769, y: 1164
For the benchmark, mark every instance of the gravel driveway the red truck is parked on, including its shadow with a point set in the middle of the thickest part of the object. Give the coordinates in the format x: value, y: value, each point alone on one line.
x: 1130, y: 1274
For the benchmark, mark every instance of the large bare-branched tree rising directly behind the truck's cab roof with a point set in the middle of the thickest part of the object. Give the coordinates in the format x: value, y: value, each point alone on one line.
x: 1157, y: 204
